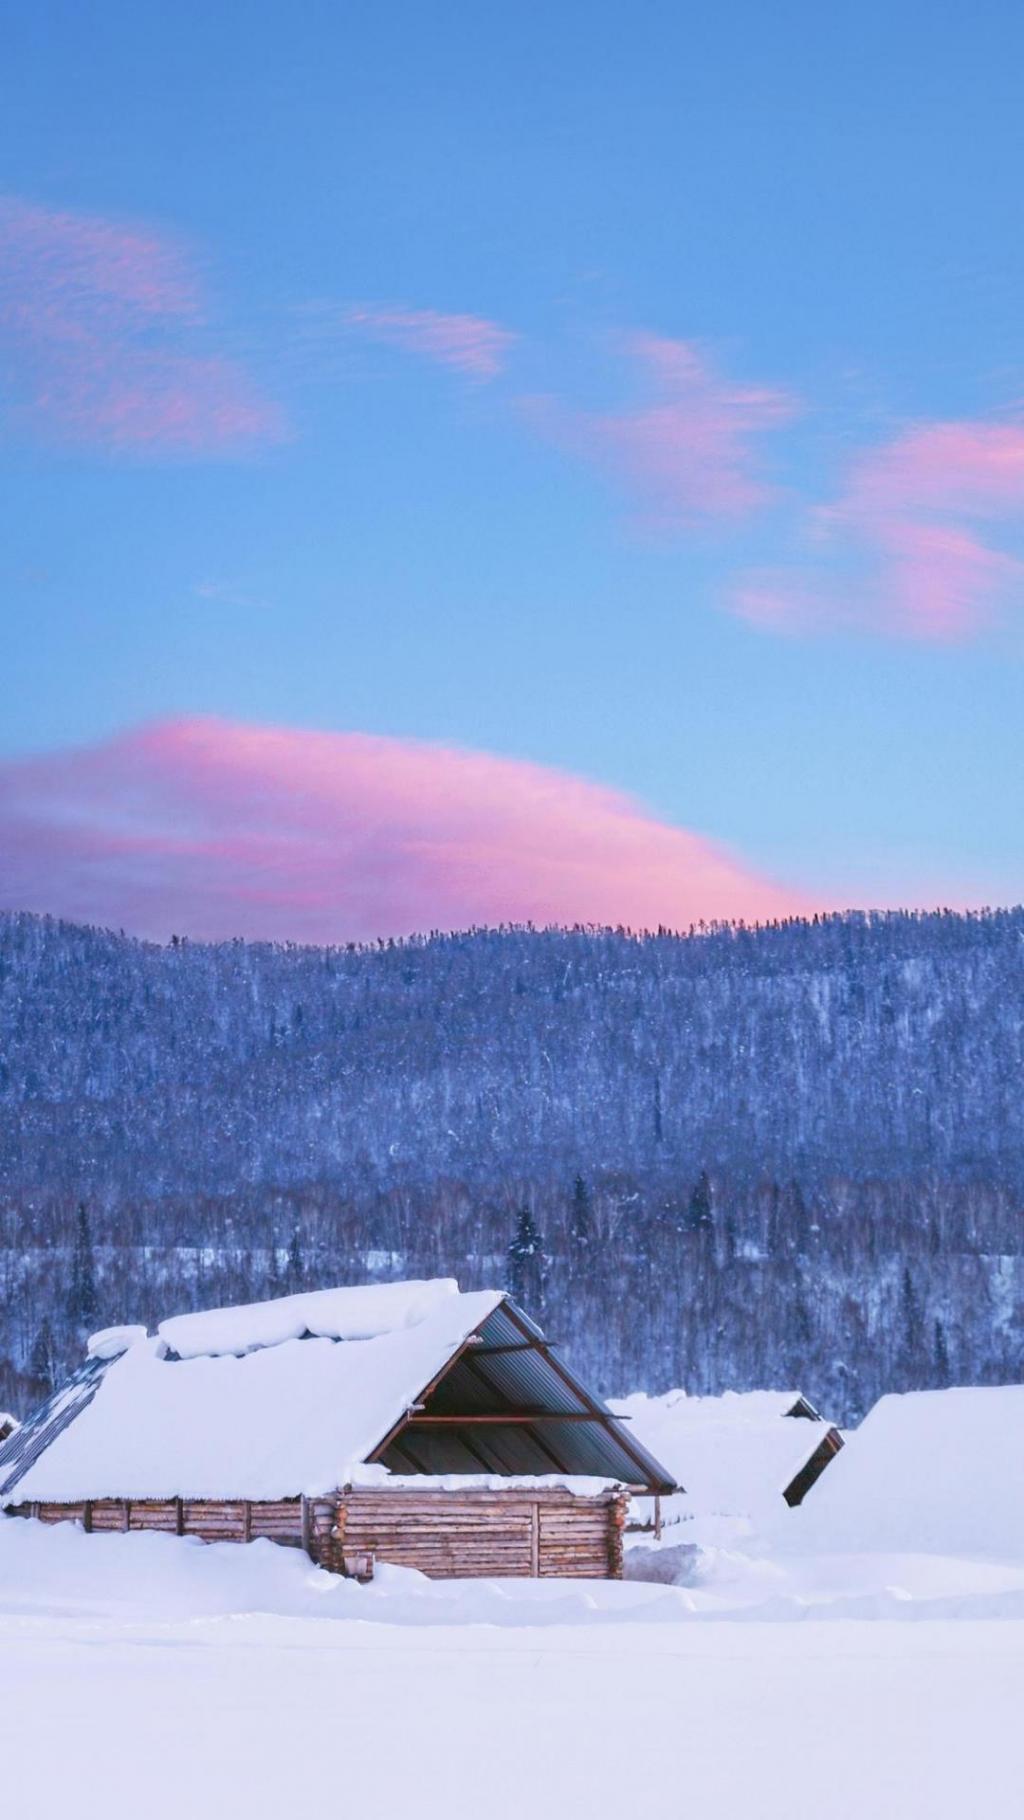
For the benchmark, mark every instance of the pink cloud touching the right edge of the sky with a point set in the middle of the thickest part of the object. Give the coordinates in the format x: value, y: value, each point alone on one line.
x: 901, y: 551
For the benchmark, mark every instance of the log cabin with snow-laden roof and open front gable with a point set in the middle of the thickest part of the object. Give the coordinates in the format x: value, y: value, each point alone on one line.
x: 401, y: 1422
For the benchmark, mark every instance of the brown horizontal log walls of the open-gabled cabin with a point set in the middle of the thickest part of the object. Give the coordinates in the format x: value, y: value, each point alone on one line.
x: 447, y: 1535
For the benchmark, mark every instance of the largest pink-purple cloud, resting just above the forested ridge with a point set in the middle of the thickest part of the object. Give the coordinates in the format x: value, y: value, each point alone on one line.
x: 216, y: 829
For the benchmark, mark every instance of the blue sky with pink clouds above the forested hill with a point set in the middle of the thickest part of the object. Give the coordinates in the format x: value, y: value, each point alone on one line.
x: 470, y: 465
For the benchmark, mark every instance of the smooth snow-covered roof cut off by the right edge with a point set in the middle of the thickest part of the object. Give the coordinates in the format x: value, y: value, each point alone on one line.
x: 929, y: 1473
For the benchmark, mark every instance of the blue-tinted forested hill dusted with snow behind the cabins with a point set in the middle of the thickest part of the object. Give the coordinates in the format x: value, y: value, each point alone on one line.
x: 779, y: 1155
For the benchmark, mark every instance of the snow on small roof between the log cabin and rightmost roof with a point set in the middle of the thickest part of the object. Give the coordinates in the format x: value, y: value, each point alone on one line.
x: 736, y: 1455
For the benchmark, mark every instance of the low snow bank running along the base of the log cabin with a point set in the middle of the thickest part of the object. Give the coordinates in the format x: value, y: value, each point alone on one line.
x: 59, y: 1572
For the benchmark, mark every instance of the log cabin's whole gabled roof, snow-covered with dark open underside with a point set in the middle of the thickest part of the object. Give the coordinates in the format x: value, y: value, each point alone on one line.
x: 290, y: 1397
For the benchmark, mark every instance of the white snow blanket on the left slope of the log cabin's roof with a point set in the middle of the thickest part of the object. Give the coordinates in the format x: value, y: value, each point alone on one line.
x: 286, y: 1419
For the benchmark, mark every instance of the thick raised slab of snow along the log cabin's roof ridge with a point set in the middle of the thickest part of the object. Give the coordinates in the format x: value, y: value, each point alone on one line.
x: 361, y: 1313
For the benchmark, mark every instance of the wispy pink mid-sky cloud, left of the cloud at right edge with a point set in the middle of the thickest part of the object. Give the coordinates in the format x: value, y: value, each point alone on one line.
x: 688, y: 452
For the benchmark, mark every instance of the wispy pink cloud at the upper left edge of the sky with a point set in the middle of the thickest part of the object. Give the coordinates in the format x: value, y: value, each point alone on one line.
x: 103, y: 341
